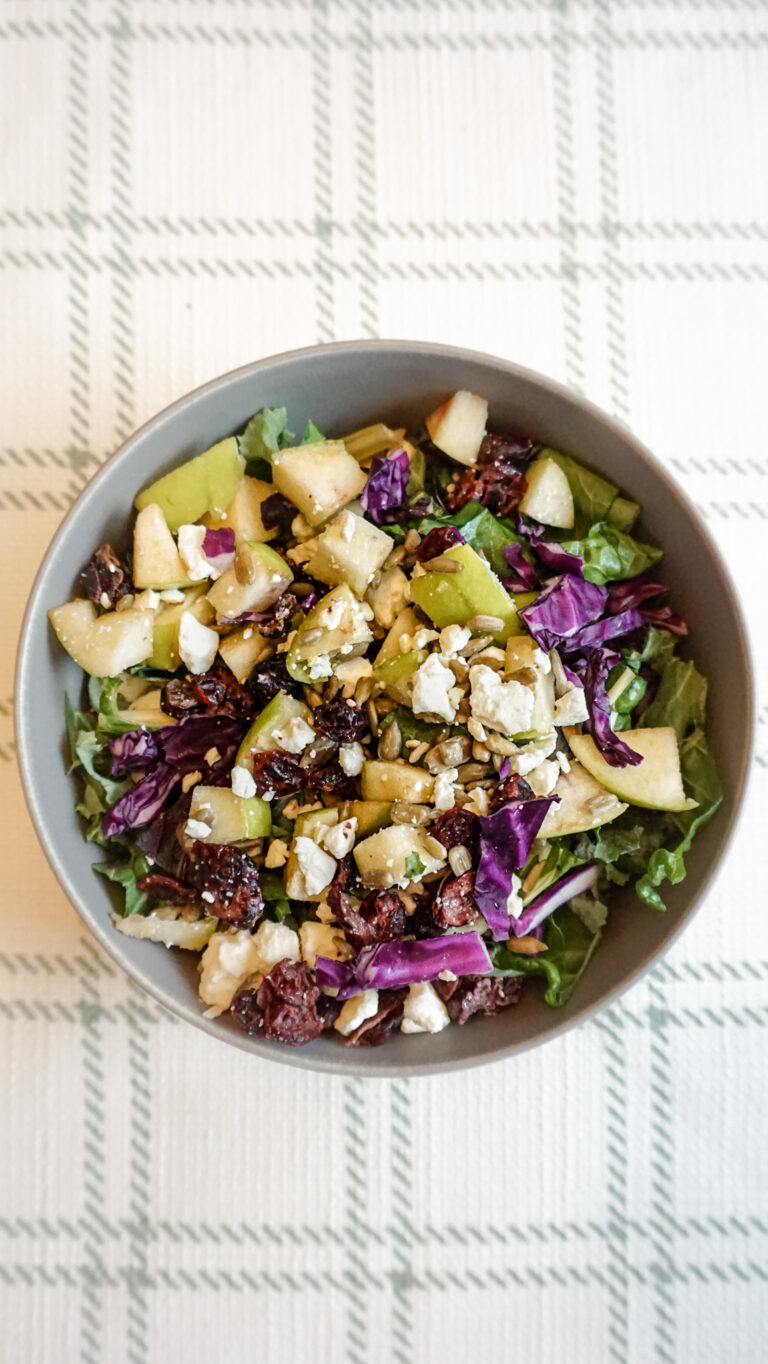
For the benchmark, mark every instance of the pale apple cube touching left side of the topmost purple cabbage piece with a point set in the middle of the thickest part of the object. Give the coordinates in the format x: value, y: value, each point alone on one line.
x: 320, y: 479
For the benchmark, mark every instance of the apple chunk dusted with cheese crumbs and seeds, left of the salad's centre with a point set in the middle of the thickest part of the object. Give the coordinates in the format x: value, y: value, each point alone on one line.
x: 344, y: 632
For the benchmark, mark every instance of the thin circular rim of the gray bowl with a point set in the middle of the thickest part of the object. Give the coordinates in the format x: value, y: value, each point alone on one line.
x: 107, y: 936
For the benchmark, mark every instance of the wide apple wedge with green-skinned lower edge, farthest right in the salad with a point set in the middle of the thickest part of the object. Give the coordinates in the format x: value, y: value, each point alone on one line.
x: 655, y: 784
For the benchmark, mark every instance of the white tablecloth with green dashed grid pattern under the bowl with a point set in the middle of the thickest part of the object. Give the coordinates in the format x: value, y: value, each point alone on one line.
x: 189, y: 185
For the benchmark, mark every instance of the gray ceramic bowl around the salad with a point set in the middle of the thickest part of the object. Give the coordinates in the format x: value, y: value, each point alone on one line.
x: 346, y: 387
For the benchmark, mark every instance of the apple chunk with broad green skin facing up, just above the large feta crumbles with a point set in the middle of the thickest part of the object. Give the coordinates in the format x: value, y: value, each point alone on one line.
x: 455, y: 598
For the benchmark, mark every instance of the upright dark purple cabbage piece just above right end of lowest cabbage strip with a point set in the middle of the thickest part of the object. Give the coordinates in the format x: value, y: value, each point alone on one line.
x: 505, y: 844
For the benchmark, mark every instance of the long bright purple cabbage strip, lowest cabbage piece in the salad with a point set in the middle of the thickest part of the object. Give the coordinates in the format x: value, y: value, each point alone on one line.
x: 389, y: 966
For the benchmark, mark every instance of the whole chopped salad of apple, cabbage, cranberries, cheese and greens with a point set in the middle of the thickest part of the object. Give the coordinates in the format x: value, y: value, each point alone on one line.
x: 377, y: 724
